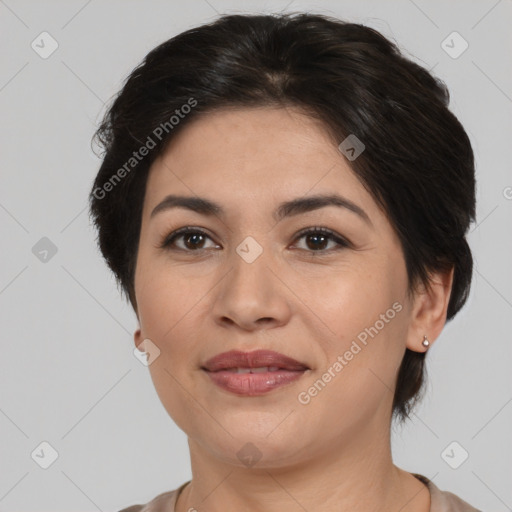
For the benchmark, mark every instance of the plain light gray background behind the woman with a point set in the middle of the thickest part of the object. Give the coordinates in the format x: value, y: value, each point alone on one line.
x: 68, y: 375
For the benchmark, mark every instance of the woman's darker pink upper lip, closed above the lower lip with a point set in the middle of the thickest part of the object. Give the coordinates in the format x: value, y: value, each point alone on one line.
x: 254, y: 359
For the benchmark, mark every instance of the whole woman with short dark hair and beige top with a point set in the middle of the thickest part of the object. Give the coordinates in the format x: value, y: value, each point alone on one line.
x: 284, y: 201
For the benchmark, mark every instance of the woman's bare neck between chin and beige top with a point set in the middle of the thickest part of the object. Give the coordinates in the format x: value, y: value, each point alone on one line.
x: 359, y: 475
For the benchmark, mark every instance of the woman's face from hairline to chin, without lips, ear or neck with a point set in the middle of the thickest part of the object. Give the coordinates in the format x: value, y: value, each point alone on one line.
x: 342, y: 310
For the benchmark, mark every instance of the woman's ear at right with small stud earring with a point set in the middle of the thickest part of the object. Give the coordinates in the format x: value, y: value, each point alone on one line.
x: 428, y: 315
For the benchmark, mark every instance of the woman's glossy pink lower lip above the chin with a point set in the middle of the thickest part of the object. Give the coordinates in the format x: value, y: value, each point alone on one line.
x: 253, y: 384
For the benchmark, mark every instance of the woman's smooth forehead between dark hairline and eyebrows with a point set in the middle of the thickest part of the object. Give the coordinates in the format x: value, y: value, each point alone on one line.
x: 253, y: 156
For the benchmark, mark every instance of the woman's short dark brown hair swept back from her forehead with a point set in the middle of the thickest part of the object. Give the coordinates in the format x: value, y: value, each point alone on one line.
x: 417, y: 161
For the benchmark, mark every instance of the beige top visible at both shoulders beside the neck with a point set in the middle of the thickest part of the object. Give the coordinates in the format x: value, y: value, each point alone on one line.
x: 440, y: 501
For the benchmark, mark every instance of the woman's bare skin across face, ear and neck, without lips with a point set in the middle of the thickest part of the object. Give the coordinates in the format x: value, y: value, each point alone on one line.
x: 332, y: 454
